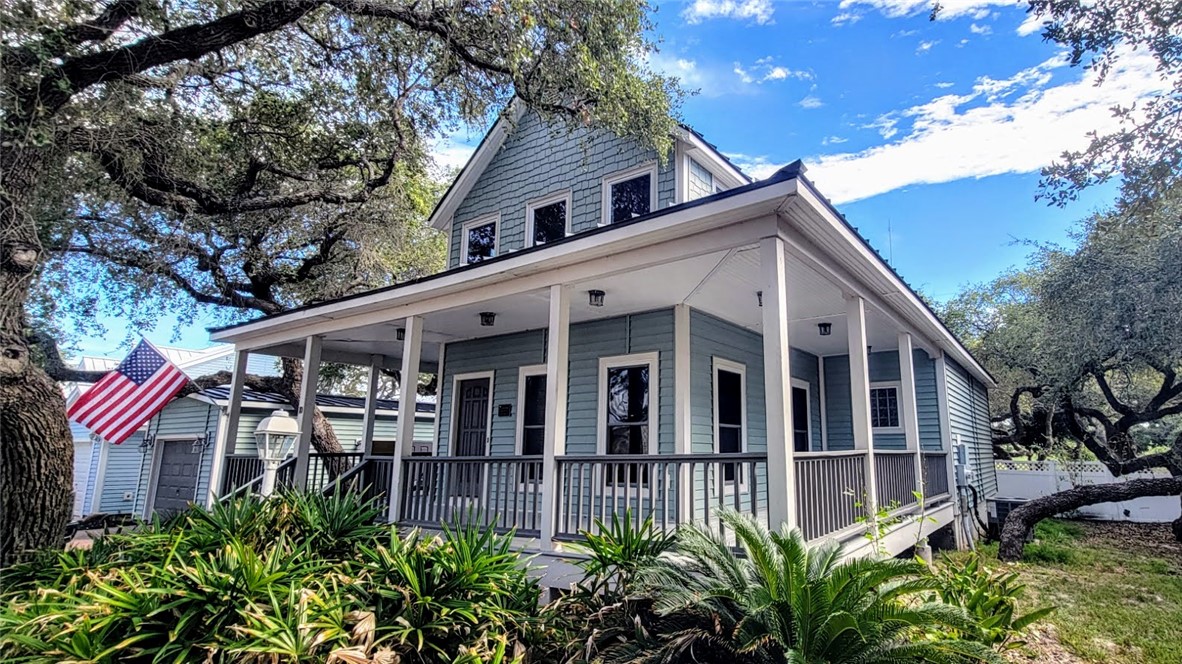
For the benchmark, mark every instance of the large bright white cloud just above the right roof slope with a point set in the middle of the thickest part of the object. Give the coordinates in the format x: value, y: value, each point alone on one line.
x: 1008, y: 126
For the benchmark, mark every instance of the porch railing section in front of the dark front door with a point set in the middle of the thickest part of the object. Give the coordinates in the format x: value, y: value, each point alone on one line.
x: 505, y: 493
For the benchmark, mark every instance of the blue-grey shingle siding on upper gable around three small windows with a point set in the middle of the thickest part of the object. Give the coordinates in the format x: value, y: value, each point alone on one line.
x: 537, y: 161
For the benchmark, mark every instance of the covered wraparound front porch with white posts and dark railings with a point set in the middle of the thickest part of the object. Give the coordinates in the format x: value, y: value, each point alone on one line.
x: 723, y: 364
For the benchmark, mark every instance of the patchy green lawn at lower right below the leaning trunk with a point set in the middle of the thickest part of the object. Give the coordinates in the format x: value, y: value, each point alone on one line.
x: 1119, y: 588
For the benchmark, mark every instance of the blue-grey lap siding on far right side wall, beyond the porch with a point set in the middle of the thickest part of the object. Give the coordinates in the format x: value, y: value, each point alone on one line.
x: 969, y: 415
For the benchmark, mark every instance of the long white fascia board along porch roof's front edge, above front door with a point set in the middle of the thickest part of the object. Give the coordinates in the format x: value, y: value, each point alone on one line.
x: 509, y: 274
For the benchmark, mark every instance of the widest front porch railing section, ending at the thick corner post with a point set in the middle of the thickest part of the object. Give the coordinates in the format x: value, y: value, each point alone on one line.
x: 672, y: 490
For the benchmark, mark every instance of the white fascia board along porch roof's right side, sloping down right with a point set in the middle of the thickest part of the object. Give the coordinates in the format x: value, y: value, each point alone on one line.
x: 892, y: 289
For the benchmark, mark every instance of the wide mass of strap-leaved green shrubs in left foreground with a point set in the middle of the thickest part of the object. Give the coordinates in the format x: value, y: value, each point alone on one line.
x: 295, y: 578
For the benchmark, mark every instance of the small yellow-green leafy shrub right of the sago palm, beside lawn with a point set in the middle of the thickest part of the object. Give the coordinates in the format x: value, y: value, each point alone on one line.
x: 991, y: 597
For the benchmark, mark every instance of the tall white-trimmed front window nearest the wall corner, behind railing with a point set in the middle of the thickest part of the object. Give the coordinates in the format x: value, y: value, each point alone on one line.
x: 628, y: 409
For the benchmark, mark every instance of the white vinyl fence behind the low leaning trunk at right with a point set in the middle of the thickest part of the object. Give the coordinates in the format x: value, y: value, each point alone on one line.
x: 1025, y: 480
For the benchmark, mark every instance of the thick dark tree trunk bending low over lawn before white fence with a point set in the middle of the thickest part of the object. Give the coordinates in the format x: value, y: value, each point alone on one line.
x: 1021, y: 522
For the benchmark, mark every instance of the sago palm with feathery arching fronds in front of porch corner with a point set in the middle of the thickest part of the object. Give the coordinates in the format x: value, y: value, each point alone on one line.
x: 777, y: 600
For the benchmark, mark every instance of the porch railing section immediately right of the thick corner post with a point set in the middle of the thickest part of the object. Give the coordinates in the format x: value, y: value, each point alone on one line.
x: 830, y: 490
